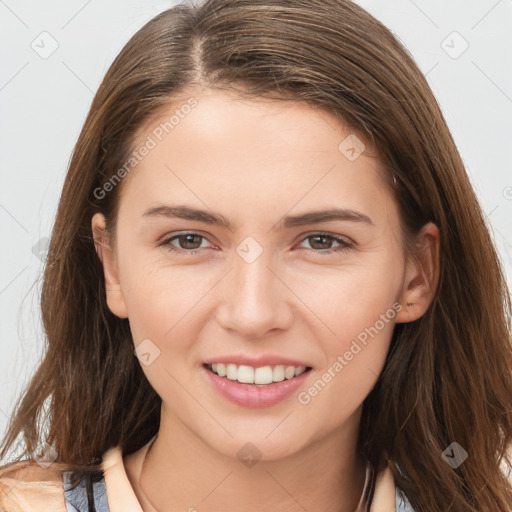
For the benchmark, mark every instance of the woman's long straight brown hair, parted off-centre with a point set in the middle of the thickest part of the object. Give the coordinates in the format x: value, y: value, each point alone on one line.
x: 448, y: 375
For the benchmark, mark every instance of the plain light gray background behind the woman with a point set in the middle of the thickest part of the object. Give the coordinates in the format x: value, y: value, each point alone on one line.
x: 44, y: 102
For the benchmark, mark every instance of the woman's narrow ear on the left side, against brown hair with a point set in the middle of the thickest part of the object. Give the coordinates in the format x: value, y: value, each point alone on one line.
x: 108, y: 258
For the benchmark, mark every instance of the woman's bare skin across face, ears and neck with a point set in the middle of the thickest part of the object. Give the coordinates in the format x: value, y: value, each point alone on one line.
x: 254, y: 162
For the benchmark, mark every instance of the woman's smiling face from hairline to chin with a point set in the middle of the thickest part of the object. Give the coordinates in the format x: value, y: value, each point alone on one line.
x: 271, y: 284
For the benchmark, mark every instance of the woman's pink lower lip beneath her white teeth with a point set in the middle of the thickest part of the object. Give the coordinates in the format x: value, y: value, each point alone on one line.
x: 254, y: 396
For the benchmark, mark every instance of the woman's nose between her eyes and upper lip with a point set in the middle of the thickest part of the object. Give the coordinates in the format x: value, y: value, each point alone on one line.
x: 255, y: 299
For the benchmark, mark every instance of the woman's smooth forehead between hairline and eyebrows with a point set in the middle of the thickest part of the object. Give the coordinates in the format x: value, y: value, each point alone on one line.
x: 255, y: 153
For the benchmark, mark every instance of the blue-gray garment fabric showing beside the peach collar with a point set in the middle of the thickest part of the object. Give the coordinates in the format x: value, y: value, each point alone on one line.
x: 76, y: 499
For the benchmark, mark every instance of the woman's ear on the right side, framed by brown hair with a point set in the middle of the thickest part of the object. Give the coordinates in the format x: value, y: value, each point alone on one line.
x: 421, y: 275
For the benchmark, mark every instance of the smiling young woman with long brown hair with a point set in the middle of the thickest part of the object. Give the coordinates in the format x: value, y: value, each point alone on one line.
x: 336, y: 336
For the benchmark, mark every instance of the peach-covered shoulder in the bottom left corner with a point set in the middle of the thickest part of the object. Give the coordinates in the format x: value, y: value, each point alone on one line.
x: 26, y: 486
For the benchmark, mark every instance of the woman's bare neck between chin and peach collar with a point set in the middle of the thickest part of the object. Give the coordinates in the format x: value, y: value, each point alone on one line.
x: 181, y: 473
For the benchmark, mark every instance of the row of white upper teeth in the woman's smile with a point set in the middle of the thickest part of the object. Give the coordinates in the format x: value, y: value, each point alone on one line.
x: 260, y: 376
